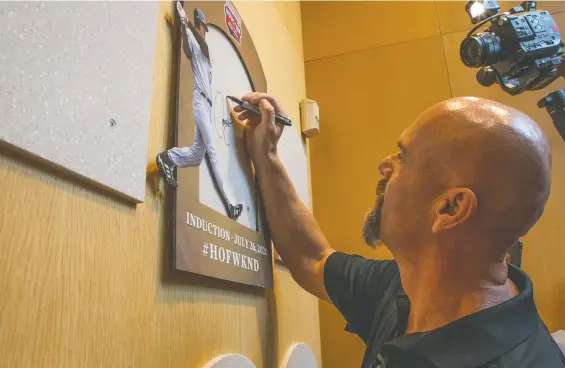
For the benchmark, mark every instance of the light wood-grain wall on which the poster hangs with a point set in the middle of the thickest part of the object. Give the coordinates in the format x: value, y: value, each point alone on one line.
x: 81, y: 272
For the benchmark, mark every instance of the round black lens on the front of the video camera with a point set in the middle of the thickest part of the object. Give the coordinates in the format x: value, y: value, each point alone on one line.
x: 480, y: 49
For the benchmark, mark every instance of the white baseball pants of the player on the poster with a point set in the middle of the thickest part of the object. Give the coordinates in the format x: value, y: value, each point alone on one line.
x: 203, y: 142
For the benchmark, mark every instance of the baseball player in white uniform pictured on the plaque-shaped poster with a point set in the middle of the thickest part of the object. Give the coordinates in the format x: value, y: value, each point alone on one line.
x: 196, y: 50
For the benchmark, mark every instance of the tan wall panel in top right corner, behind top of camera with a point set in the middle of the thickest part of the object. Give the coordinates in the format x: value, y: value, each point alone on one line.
x: 453, y: 17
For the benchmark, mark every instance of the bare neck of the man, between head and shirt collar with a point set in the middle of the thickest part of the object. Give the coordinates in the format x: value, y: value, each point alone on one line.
x: 442, y: 290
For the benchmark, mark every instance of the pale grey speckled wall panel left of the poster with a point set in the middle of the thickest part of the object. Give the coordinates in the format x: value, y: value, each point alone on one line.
x: 78, y: 67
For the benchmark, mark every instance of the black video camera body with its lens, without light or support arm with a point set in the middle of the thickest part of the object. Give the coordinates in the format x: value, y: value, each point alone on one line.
x: 518, y: 51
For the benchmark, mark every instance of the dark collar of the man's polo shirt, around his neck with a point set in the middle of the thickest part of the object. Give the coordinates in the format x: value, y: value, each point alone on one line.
x: 480, y: 337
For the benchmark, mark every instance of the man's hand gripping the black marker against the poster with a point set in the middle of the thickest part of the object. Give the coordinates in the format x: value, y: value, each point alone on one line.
x: 262, y: 133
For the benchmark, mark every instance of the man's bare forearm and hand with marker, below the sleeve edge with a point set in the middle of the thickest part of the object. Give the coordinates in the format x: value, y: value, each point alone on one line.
x: 296, y: 234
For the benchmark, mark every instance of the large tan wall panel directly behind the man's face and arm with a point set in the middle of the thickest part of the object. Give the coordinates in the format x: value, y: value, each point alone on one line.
x: 366, y: 100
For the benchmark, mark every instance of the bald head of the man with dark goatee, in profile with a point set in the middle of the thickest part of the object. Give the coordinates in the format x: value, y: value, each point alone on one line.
x: 467, y: 166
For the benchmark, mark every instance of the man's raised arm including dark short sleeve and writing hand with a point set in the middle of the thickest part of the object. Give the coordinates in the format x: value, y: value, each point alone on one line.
x: 353, y: 284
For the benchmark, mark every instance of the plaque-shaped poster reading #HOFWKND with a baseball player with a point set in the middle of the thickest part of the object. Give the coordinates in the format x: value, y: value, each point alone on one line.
x: 215, y: 214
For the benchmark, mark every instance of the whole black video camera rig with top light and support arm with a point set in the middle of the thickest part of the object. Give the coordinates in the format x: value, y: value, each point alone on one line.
x: 521, y: 50
